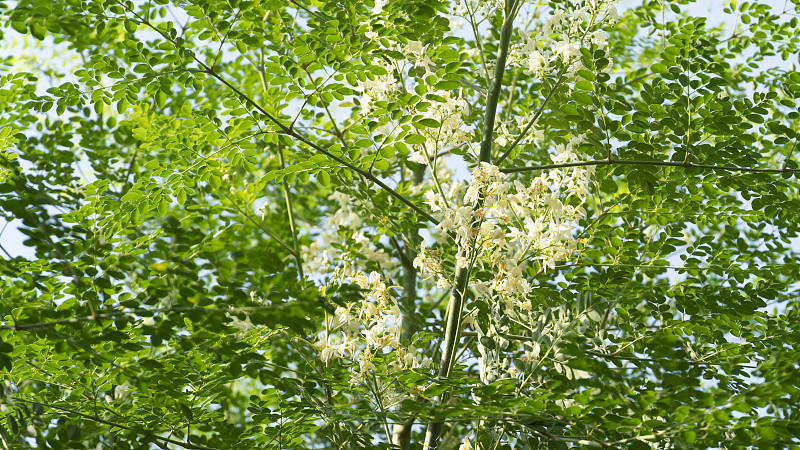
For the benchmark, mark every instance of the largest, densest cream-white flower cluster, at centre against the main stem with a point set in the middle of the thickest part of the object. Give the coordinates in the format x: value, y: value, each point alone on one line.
x: 508, y: 226
